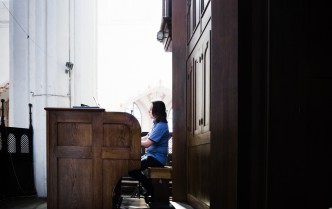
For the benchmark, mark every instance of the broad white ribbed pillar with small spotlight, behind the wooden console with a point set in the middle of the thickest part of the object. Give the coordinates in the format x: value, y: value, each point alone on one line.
x: 43, y: 37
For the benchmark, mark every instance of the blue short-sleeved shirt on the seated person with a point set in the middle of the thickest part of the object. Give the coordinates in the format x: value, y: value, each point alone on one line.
x: 159, y: 134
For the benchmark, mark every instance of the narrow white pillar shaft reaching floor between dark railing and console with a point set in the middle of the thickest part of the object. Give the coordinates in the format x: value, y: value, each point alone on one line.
x: 38, y: 72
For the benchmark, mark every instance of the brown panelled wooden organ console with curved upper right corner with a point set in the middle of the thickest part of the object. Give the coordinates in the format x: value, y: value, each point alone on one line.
x: 88, y: 151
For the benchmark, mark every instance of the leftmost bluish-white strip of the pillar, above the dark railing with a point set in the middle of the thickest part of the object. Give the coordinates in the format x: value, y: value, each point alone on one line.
x: 19, y: 58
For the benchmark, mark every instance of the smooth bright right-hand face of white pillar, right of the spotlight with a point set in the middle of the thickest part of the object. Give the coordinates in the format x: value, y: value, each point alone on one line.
x: 85, y: 46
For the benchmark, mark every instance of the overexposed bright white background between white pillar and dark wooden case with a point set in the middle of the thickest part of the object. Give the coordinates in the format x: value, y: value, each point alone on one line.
x: 130, y: 59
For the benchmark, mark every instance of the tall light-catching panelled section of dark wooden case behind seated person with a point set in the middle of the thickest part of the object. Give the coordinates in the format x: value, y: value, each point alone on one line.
x: 198, y: 103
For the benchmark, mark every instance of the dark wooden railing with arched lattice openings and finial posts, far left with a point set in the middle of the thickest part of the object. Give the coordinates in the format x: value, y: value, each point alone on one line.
x: 16, y: 159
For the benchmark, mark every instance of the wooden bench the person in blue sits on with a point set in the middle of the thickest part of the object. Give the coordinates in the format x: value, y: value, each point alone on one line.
x: 160, y: 177
